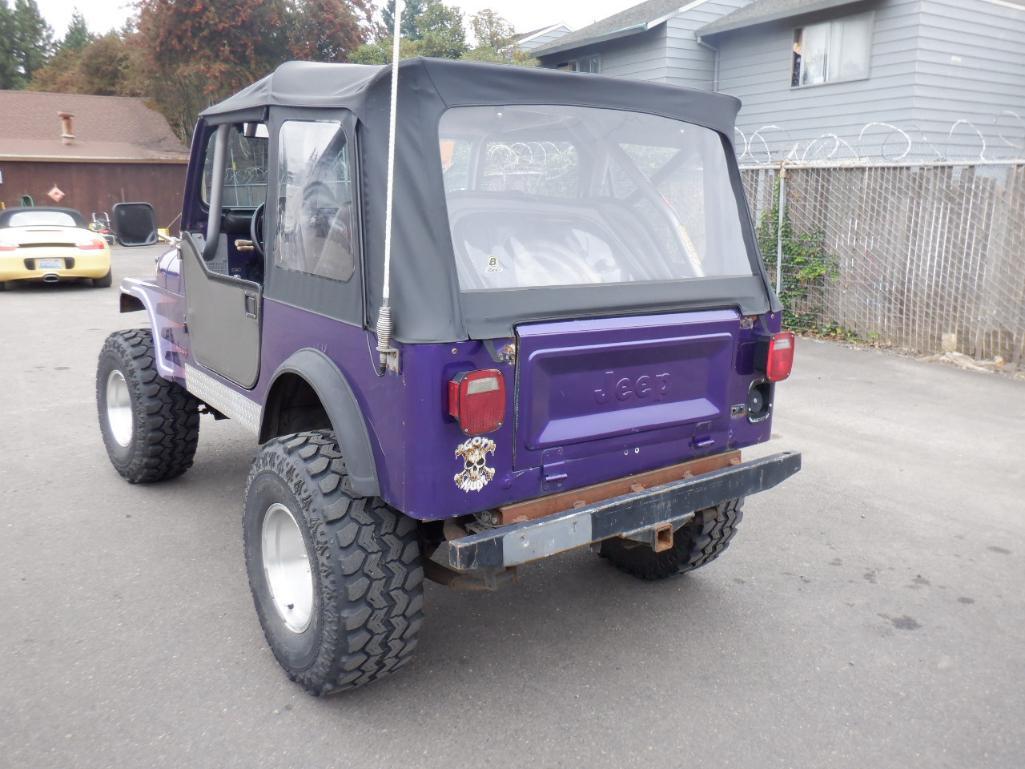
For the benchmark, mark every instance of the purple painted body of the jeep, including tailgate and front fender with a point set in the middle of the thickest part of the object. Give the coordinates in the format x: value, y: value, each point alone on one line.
x: 598, y: 399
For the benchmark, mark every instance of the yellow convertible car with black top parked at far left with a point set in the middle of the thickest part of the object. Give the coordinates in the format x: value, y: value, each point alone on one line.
x: 51, y: 246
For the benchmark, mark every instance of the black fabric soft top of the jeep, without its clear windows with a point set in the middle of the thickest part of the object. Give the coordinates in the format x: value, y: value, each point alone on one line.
x: 427, y: 302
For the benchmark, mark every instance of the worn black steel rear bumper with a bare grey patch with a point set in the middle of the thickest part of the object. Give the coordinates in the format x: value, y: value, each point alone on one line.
x: 630, y: 515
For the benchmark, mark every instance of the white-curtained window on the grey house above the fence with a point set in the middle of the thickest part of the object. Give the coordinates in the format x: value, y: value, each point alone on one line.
x: 833, y: 52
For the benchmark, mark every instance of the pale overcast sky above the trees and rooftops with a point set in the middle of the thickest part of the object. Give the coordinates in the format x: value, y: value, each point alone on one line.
x: 103, y: 16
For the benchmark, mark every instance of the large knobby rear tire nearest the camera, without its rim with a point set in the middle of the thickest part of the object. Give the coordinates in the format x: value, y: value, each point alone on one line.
x: 365, y: 561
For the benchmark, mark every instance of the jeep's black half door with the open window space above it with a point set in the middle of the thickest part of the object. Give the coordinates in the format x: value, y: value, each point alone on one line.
x: 224, y: 270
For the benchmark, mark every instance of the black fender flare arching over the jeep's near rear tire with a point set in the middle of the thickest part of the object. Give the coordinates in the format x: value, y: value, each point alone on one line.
x: 344, y: 411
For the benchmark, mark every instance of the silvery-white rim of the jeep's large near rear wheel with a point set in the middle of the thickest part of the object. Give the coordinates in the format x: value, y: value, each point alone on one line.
x: 286, y: 564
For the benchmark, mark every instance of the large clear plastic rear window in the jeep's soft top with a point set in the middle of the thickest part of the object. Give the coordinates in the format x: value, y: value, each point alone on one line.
x: 555, y: 195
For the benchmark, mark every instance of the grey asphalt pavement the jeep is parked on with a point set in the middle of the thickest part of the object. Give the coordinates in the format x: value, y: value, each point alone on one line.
x: 870, y: 614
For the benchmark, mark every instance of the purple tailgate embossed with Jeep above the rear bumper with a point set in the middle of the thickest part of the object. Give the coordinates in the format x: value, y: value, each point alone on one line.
x: 595, y: 387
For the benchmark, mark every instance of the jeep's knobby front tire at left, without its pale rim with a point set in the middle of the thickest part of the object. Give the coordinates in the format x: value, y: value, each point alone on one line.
x: 166, y: 417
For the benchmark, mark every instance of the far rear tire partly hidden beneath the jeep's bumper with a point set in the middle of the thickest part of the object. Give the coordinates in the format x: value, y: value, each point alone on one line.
x: 698, y: 543
